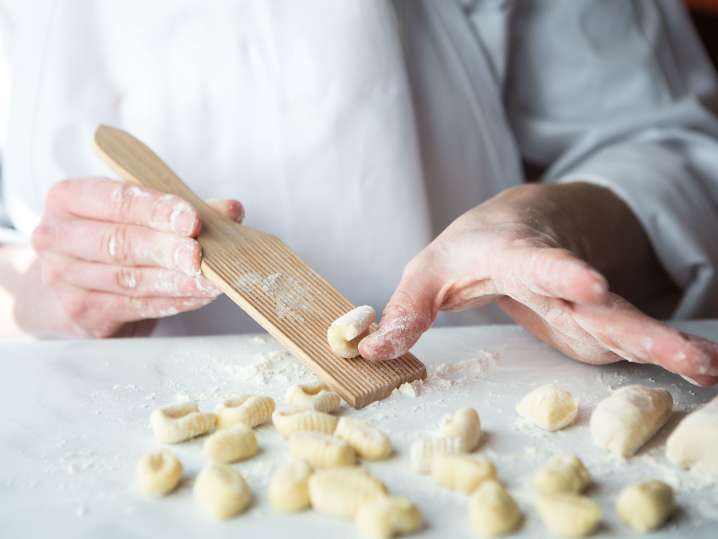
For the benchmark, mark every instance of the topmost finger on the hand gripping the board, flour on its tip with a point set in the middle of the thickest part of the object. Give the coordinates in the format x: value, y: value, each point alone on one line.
x: 103, y: 199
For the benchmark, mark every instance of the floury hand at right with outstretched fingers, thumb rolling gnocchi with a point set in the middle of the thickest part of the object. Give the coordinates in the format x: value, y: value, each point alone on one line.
x: 534, y: 250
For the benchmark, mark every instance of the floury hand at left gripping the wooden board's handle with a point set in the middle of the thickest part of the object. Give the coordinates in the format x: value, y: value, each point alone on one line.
x: 117, y: 255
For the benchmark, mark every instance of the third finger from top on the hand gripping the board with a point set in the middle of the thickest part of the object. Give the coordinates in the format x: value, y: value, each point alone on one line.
x: 124, y: 280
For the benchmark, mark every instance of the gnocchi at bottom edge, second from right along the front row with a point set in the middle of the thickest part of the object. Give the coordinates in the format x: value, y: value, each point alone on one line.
x: 569, y: 515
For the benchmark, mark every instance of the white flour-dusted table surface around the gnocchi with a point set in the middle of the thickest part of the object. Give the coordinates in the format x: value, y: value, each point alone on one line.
x: 76, y: 421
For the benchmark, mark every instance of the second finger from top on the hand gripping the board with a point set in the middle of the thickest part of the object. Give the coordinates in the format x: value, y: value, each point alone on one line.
x: 118, y: 244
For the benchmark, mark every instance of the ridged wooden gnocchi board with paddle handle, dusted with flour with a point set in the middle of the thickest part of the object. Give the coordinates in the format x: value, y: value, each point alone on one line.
x: 267, y: 279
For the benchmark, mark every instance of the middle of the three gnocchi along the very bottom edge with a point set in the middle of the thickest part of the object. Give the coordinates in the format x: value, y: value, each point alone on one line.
x: 493, y: 511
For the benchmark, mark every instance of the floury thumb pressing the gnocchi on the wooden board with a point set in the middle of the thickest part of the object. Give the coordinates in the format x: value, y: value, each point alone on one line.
x: 409, y: 313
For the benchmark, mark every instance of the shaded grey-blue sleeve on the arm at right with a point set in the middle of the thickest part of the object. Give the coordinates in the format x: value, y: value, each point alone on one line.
x: 620, y: 93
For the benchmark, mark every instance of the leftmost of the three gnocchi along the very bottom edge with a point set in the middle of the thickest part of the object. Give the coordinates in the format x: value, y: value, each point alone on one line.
x: 387, y: 516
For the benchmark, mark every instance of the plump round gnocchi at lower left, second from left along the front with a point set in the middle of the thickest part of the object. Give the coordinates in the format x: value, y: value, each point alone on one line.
x: 221, y: 491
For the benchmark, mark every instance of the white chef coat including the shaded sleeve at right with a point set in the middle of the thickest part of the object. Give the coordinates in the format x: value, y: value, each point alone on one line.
x: 355, y: 130
